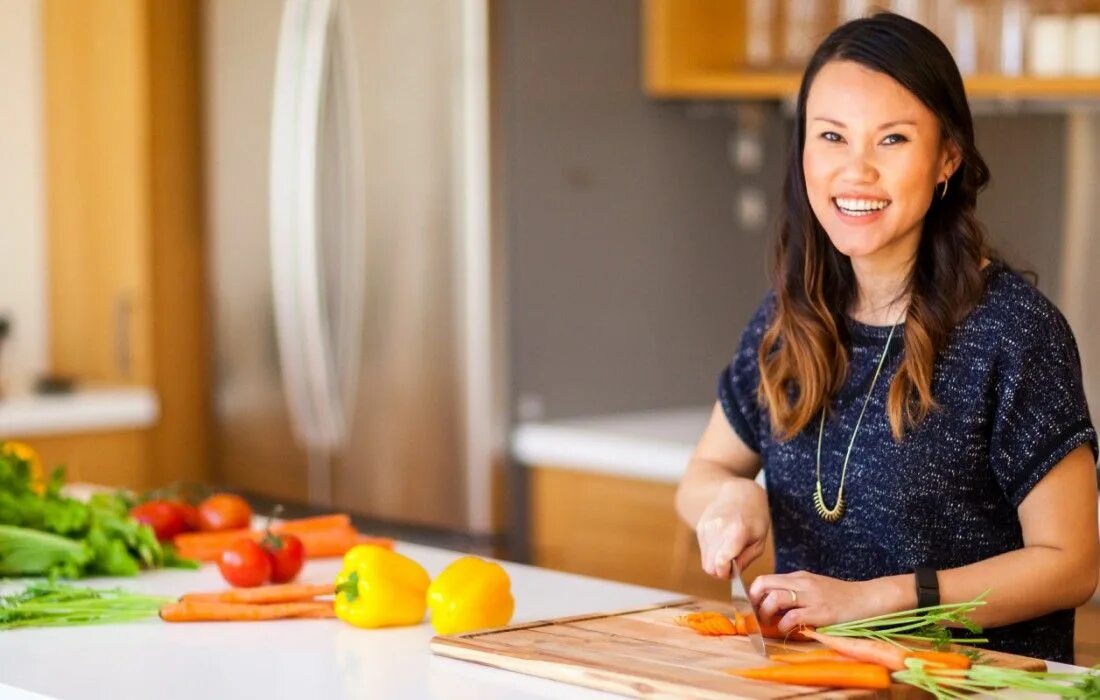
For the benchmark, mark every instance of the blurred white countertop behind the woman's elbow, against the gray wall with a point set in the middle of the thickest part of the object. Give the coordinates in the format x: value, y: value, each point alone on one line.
x: 655, y: 445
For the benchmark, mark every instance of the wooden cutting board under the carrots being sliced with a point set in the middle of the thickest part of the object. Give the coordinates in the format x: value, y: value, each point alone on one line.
x: 643, y: 653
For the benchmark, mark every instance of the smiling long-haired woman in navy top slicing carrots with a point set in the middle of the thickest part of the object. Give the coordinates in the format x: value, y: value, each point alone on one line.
x: 916, y: 404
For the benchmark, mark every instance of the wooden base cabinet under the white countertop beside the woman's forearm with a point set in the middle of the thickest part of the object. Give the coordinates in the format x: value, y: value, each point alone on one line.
x: 619, y: 529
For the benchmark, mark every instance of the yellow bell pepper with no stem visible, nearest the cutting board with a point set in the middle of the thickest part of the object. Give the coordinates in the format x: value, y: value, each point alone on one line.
x: 469, y: 595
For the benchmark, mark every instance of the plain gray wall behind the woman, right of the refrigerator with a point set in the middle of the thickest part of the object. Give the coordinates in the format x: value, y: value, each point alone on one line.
x: 630, y: 279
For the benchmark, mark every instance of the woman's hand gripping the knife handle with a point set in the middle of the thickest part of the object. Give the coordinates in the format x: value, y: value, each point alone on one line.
x: 734, y: 526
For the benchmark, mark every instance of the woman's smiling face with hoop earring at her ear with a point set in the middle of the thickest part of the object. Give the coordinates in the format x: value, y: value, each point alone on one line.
x: 873, y: 158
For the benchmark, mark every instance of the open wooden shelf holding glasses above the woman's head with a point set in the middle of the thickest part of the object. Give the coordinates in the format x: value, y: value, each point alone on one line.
x: 696, y: 50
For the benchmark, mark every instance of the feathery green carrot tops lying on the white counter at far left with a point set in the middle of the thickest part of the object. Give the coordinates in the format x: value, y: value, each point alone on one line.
x: 53, y: 605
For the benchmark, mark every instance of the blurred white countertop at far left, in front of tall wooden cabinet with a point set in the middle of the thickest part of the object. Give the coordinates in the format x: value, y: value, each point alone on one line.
x: 84, y: 411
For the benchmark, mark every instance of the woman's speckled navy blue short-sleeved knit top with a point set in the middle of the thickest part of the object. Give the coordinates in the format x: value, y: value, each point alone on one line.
x: 1013, y: 407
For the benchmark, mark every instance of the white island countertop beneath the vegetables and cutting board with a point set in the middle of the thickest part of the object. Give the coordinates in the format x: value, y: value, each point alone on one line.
x: 303, y: 659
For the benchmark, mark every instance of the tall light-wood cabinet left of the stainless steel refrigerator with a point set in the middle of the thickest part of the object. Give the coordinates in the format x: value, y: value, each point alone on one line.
x: 124, y: 213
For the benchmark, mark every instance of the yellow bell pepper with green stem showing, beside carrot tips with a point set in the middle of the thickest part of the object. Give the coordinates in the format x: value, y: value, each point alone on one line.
x: 379, y: 588
